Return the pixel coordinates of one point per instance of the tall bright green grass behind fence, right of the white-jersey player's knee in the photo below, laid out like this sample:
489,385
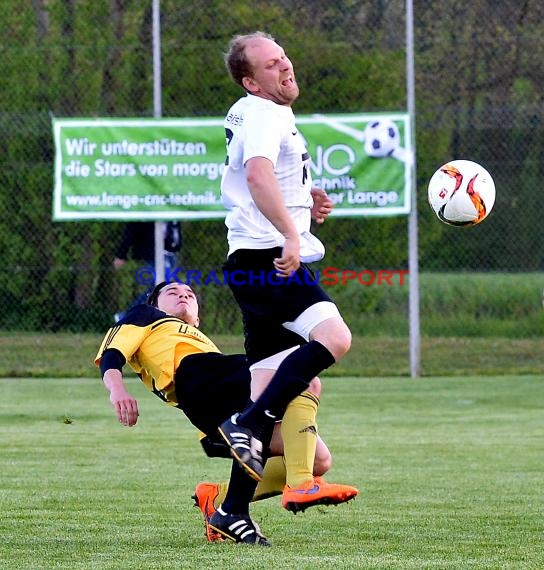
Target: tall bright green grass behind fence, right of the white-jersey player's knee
456,304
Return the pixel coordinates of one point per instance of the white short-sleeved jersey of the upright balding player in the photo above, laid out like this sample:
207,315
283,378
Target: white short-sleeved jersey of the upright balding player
258,127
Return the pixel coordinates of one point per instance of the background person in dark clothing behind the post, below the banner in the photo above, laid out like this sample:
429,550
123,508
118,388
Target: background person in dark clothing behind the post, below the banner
138,243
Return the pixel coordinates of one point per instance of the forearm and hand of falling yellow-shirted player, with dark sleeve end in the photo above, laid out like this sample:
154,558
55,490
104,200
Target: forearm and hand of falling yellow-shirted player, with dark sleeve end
124,404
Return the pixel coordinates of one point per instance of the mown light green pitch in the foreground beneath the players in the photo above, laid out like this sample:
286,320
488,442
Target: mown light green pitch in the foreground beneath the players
450,472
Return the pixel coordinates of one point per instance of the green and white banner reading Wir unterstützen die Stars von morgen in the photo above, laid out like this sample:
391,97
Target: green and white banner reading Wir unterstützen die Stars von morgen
161,169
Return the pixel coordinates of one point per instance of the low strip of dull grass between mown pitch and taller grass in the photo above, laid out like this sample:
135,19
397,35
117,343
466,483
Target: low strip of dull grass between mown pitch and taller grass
69,355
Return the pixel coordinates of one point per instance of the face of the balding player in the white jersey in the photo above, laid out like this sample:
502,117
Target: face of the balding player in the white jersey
273,75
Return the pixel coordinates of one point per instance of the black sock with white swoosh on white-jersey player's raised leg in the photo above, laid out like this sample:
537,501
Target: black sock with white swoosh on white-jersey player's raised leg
292,377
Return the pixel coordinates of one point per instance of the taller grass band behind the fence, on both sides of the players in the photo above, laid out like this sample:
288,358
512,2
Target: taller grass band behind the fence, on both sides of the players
457,304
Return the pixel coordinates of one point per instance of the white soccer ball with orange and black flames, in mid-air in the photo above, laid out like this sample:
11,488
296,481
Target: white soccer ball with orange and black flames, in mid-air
461,193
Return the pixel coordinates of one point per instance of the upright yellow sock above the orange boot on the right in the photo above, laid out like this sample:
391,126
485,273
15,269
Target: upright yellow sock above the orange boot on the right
299,434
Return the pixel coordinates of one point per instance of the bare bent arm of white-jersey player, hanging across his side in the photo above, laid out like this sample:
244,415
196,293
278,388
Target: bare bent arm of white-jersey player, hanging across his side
265,191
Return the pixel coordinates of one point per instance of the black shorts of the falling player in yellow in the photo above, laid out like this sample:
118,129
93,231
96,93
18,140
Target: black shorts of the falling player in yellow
210,387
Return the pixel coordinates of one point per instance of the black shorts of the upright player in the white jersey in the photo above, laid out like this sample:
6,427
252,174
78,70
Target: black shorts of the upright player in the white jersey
267,301
